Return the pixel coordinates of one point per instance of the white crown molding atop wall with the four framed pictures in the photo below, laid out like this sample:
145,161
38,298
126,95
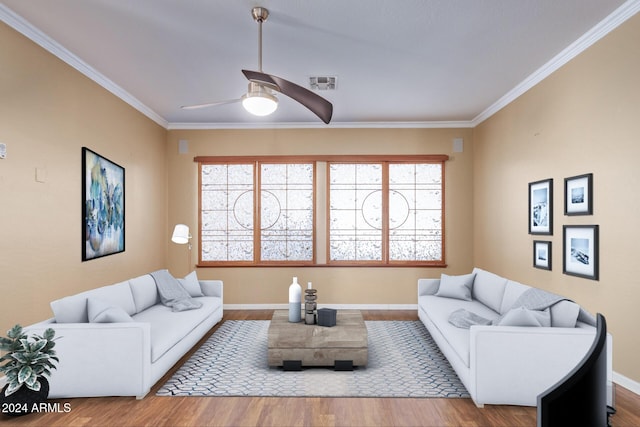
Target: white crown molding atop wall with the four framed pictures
604,27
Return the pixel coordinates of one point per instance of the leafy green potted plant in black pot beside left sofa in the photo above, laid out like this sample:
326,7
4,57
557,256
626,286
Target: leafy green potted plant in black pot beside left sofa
26,363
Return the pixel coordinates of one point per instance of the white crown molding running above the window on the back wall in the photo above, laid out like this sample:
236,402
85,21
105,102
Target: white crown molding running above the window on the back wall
332,125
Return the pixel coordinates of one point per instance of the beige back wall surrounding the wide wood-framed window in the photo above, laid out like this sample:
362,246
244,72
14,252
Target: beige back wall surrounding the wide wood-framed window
335,285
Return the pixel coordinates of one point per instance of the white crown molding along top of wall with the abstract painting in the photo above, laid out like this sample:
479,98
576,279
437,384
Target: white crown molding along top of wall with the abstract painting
25,28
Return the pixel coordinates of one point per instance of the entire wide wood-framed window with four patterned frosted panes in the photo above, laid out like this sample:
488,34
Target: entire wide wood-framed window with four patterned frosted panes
373,210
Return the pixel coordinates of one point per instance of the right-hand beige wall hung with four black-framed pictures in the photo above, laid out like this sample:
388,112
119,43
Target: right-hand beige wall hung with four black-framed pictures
583,118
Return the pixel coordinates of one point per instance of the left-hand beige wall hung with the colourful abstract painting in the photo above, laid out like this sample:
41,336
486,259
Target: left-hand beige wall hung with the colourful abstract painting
48,111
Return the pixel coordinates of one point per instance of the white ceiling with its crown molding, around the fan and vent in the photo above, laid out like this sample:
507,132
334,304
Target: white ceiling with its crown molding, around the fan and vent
409,62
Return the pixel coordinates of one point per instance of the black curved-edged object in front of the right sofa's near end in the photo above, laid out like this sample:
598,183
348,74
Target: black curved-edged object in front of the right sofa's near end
580,398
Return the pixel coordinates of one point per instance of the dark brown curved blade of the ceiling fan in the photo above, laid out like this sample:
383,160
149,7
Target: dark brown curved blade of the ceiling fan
317,104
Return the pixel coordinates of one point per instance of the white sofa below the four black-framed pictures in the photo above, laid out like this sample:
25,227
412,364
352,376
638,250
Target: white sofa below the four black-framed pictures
501,364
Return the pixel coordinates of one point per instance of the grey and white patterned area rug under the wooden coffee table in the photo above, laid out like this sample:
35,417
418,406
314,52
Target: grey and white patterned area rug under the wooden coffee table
404,361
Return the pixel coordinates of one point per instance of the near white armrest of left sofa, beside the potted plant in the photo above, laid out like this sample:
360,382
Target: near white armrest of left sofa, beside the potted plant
100,359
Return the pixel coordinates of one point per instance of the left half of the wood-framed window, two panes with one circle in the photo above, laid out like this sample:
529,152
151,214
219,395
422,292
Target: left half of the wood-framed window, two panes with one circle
233,232
